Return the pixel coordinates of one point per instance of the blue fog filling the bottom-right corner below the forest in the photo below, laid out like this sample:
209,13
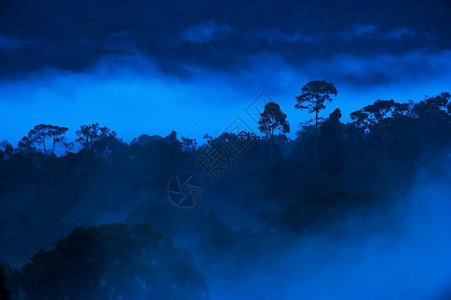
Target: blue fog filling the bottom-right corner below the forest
407,259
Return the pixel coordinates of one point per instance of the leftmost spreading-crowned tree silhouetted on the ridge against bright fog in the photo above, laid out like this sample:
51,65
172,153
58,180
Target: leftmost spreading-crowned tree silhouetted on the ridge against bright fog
40,133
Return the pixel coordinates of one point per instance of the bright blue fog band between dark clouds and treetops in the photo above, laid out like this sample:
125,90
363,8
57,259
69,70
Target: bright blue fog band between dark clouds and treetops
132,95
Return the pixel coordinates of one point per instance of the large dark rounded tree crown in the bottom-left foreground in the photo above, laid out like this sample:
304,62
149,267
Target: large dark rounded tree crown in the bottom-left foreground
113,262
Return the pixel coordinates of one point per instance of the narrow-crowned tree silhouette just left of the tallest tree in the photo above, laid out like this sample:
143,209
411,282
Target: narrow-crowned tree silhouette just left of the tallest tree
273,119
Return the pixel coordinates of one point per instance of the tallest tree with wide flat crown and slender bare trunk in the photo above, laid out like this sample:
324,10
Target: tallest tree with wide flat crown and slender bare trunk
314,95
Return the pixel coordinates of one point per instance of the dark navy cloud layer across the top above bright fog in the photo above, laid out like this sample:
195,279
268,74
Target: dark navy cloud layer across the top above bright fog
224,35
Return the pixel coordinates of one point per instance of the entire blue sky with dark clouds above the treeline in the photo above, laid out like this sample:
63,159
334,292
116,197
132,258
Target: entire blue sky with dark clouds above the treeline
194,67
